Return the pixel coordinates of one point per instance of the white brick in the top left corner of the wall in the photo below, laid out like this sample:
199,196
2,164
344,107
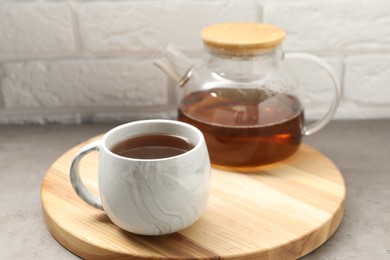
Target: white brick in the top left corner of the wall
36,27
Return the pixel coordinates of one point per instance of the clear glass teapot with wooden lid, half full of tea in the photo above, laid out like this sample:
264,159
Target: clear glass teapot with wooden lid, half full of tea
248,107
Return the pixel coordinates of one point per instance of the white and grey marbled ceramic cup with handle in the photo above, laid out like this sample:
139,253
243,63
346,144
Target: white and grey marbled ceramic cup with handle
149,196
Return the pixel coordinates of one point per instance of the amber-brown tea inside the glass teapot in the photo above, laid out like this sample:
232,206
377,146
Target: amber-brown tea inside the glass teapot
259,132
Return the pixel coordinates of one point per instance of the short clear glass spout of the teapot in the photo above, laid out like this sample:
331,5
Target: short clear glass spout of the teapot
175,64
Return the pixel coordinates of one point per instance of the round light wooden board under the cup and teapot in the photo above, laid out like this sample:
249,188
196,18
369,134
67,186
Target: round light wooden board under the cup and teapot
283,211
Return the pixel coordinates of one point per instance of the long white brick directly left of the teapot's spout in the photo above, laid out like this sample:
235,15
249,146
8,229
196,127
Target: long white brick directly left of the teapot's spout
83,83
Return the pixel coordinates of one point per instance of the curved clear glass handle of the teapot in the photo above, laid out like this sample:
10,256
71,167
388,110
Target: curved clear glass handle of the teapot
318,125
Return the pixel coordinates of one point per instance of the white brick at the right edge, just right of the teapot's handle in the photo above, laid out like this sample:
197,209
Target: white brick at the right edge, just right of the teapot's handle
367,79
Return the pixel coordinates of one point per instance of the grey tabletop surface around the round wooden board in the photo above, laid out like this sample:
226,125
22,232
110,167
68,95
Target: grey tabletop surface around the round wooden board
361,150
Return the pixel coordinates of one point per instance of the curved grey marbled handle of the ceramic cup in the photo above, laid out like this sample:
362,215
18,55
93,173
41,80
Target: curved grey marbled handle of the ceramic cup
76,181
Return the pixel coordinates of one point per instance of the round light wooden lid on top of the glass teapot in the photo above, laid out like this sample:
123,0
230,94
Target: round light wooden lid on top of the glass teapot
242,37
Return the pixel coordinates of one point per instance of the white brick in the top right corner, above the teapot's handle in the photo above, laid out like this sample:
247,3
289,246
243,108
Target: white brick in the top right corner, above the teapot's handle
332,26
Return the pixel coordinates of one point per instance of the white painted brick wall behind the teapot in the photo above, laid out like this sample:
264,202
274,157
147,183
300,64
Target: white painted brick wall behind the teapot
79,61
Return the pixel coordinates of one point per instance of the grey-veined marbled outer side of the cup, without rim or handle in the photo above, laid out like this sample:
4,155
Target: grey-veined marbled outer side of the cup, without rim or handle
162,196
